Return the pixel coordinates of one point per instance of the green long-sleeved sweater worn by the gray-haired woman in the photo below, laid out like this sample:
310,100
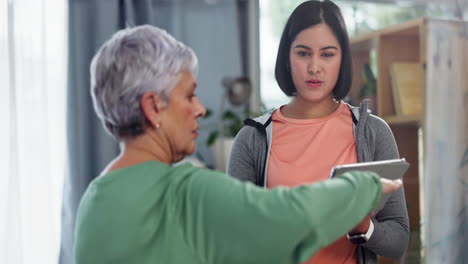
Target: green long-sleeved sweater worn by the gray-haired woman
156,213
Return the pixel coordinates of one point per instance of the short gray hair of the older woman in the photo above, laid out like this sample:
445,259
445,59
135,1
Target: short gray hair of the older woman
134,61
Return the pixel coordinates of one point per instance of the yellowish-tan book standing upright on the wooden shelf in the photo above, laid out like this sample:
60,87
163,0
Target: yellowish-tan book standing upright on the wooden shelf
407,85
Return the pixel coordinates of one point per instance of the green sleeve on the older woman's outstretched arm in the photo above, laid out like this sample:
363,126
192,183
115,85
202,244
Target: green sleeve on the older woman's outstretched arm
228,221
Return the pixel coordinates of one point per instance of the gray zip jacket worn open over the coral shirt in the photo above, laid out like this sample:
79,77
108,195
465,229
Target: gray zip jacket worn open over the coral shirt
374,141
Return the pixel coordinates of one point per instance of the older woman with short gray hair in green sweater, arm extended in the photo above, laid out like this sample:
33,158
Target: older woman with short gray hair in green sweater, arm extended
142,209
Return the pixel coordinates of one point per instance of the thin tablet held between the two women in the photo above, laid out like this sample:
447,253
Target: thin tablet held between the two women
390,169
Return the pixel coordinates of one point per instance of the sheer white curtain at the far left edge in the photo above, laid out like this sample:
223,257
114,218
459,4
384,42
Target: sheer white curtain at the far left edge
32,134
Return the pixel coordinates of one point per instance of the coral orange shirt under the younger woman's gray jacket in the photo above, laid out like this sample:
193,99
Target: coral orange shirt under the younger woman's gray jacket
304,151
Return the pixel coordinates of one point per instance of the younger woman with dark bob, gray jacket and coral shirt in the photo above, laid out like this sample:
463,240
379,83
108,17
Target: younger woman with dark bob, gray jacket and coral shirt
316,131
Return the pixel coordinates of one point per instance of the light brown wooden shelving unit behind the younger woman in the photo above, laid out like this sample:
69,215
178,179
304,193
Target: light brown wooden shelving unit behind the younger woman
404,42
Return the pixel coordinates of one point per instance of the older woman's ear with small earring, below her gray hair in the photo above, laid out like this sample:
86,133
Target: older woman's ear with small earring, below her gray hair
152,105
